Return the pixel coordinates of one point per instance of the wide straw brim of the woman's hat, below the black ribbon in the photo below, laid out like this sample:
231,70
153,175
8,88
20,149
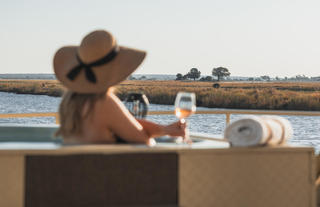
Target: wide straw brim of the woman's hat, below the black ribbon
107,75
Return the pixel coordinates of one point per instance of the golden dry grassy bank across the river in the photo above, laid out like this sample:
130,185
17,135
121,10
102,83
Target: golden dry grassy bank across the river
237,95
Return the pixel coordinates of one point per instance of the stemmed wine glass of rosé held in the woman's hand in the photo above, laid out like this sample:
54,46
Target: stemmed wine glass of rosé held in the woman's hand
185,105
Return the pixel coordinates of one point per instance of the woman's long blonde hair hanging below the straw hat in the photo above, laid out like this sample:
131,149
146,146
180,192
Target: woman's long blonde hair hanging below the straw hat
72,111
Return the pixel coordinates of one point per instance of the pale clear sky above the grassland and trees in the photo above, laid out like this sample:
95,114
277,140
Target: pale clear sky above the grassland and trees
249,37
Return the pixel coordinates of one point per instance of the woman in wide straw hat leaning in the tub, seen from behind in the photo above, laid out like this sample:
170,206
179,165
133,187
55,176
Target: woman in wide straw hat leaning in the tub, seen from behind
89,111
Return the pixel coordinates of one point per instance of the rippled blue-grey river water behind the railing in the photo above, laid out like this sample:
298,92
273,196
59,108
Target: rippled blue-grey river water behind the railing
306,128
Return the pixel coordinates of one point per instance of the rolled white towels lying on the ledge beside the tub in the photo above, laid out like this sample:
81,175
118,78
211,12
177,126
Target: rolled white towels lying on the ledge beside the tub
258,131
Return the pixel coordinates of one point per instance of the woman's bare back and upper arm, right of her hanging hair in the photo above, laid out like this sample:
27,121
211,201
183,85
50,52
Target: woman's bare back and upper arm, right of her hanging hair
106,121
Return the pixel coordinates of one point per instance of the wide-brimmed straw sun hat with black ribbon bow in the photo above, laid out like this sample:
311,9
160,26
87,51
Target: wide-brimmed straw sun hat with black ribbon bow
96,64
